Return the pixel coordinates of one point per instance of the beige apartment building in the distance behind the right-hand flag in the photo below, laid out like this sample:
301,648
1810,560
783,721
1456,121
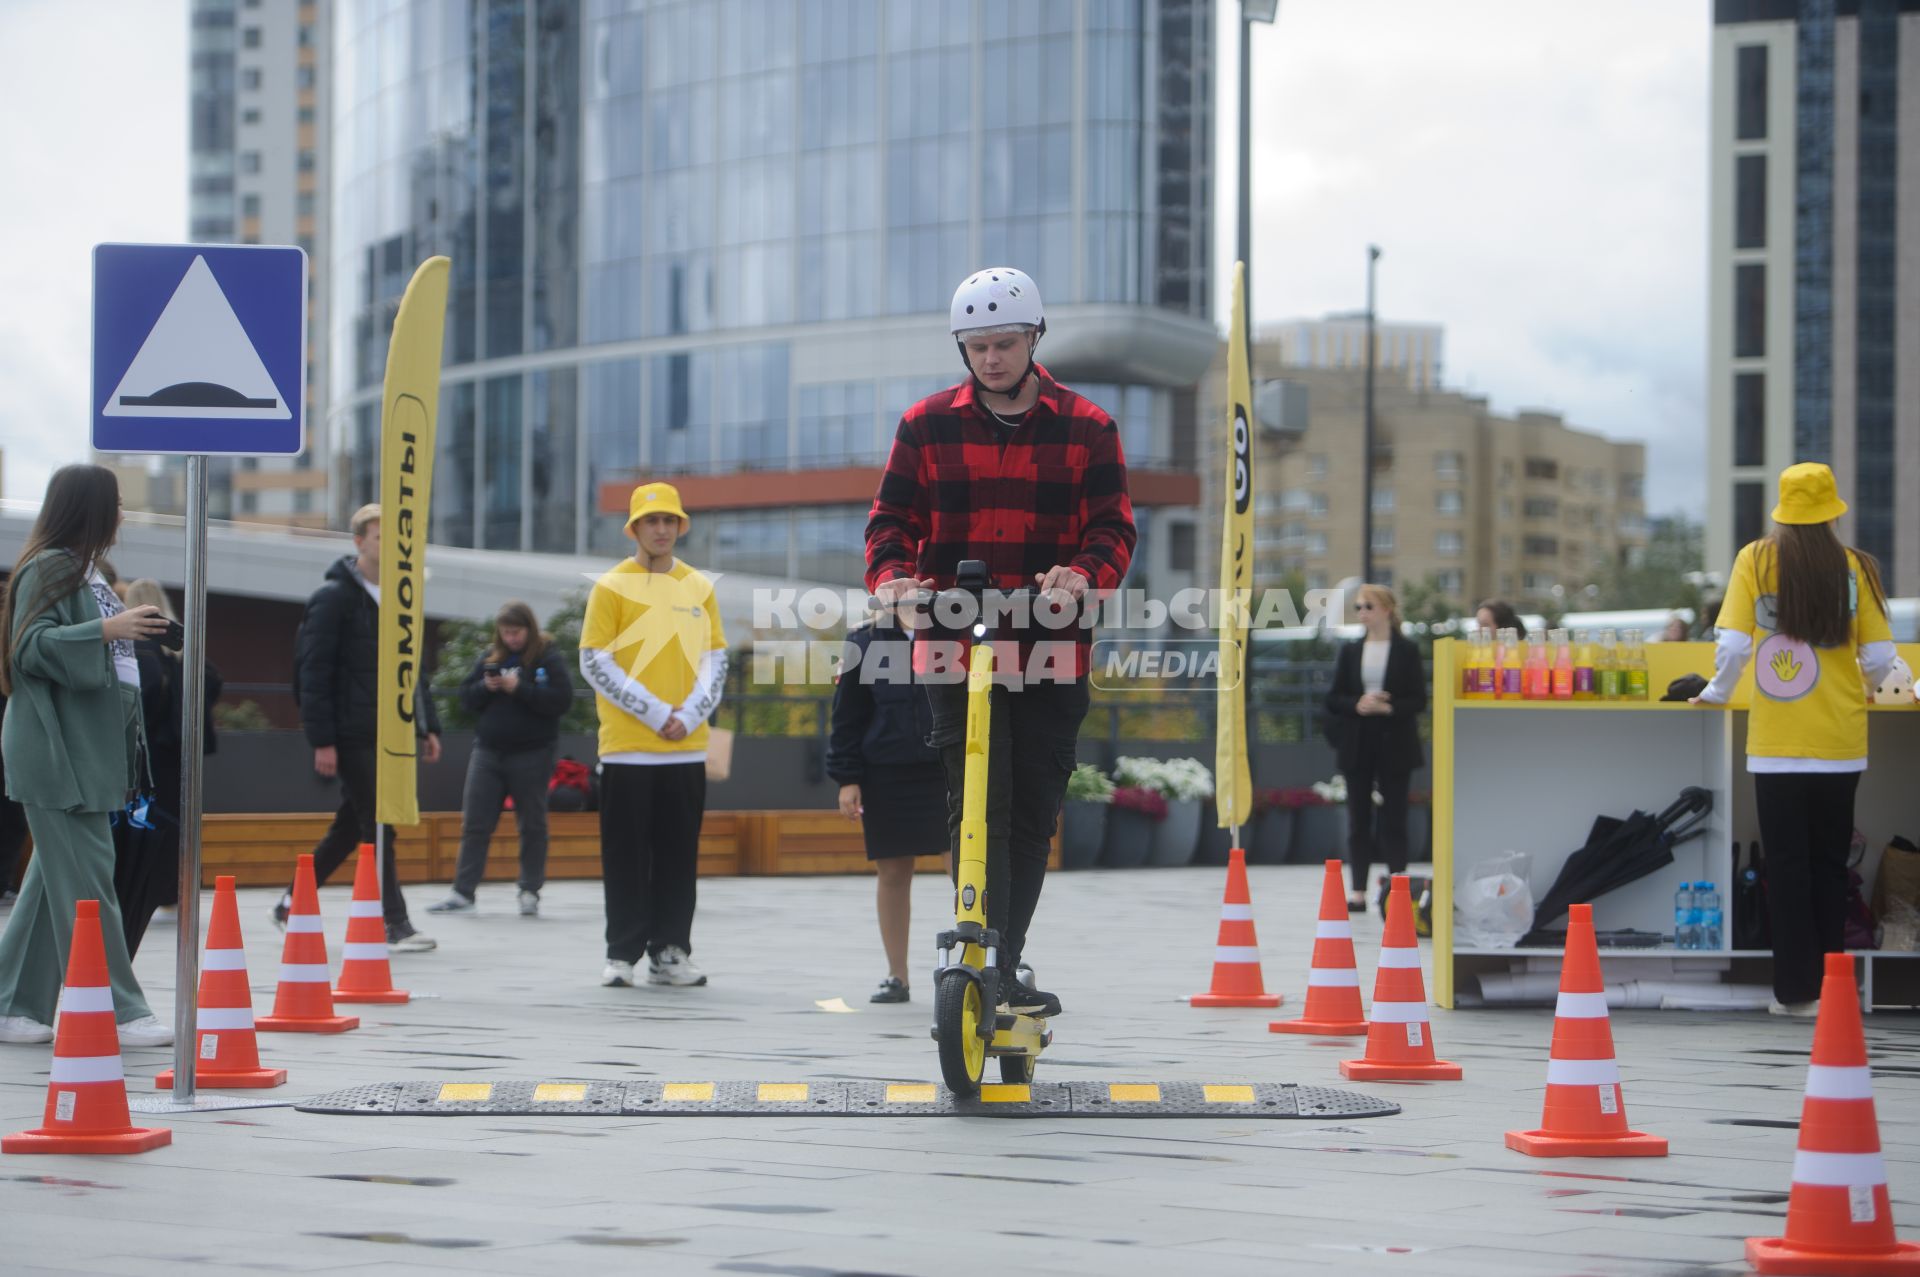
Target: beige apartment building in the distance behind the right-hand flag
1483,506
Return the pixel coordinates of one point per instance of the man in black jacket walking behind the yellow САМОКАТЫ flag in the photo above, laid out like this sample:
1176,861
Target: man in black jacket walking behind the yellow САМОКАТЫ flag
337,669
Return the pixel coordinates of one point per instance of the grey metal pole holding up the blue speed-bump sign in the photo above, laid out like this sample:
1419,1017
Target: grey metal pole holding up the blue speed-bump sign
193,735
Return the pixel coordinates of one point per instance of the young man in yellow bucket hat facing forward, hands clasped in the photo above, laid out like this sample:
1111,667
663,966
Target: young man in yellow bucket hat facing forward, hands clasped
656,656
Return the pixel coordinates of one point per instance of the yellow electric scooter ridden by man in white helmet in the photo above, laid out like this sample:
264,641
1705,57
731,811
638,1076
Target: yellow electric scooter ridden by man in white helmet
971,1019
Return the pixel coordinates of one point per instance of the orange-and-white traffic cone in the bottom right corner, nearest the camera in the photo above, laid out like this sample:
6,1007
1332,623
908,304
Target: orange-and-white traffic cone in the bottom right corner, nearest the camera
1838,1217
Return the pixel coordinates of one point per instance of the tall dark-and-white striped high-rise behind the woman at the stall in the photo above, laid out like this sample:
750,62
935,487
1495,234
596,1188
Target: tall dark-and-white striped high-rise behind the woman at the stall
1815,268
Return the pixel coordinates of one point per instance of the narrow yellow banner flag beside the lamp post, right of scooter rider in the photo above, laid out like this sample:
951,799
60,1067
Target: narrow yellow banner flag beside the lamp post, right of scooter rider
1234,786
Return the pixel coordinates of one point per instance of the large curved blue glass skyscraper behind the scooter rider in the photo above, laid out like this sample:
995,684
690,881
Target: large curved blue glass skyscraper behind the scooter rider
713,241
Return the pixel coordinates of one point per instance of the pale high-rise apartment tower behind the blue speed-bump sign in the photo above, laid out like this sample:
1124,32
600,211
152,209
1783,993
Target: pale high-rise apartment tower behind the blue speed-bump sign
258,172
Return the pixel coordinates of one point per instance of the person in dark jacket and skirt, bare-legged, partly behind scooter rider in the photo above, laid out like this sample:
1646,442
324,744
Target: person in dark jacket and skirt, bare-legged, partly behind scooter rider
890,779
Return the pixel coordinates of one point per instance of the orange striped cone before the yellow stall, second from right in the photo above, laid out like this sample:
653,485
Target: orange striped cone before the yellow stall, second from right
1585,1113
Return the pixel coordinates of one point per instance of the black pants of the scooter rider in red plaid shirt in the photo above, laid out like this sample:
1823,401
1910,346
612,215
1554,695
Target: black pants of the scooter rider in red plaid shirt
1030,758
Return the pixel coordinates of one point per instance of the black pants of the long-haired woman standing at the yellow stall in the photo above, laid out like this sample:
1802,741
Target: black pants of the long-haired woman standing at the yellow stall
1806,831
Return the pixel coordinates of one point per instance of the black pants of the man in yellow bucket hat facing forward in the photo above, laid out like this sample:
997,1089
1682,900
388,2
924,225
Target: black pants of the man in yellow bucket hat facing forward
650,855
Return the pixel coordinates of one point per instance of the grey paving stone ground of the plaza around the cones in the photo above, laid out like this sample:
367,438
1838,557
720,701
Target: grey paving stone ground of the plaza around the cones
1429,1192
